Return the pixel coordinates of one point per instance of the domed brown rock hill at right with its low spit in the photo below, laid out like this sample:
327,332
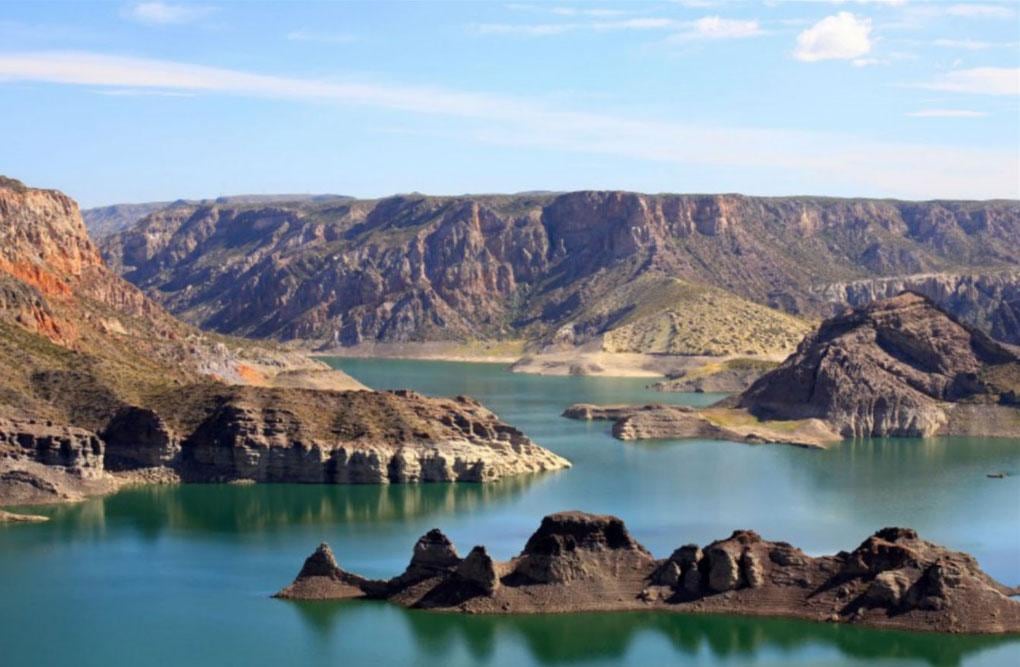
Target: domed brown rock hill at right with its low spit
896,368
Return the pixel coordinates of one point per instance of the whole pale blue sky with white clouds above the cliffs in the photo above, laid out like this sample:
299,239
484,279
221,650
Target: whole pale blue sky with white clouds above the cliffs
147,101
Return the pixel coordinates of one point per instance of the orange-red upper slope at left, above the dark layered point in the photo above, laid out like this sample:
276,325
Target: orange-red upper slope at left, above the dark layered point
78,341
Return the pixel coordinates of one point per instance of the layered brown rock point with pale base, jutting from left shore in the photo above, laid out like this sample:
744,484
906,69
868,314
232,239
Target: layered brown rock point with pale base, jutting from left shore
302,436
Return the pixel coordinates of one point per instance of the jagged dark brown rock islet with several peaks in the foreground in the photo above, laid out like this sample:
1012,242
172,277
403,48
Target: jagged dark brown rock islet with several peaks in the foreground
584,562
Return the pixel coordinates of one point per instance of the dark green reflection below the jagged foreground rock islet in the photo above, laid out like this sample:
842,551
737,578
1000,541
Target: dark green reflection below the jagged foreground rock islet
570,639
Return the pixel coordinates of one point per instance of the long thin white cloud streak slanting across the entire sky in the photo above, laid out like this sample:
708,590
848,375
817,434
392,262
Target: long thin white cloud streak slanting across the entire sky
882,168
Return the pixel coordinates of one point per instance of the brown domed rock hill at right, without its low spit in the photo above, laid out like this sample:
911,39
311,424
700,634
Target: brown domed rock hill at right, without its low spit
896,368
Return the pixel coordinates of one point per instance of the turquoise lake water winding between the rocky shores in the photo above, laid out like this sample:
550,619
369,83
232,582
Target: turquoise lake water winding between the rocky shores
168,576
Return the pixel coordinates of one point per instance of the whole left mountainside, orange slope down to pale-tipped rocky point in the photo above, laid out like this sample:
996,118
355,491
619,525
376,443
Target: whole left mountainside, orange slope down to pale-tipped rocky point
96,379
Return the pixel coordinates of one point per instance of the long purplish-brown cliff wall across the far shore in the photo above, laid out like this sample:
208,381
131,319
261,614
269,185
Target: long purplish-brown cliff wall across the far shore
423,269
